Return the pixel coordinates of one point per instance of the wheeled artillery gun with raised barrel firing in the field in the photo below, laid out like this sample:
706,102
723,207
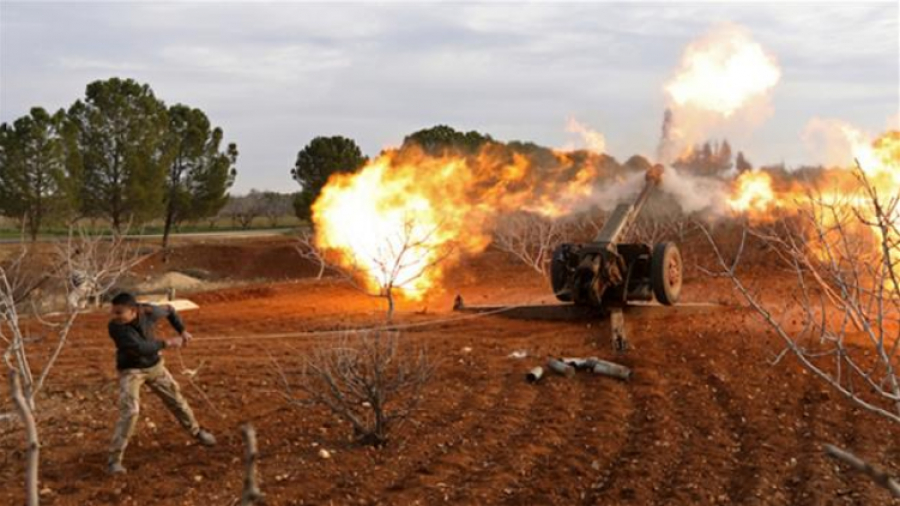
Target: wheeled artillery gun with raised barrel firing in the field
607,274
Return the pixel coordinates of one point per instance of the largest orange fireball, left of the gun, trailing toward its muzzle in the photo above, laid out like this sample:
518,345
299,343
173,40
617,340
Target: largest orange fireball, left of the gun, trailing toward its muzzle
405,212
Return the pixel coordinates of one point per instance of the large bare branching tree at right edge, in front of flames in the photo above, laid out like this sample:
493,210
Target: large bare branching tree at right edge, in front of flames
843,257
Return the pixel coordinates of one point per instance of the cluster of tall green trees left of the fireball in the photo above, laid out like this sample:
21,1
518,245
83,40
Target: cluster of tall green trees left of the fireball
119,154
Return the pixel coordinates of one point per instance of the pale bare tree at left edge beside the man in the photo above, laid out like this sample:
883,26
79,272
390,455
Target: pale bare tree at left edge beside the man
99,261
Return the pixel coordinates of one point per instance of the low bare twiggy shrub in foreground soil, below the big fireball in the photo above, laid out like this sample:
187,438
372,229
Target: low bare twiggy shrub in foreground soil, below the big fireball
370,379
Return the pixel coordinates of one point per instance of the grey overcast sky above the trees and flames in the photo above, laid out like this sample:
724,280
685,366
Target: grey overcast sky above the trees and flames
275,75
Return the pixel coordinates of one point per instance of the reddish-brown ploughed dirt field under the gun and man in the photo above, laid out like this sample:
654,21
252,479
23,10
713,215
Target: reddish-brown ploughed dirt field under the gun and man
706,419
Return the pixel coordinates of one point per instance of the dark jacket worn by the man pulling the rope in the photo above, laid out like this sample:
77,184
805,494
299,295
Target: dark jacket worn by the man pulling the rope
136,347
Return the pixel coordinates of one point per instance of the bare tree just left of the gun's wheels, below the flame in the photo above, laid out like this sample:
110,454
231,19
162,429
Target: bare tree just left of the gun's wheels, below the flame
531,238
